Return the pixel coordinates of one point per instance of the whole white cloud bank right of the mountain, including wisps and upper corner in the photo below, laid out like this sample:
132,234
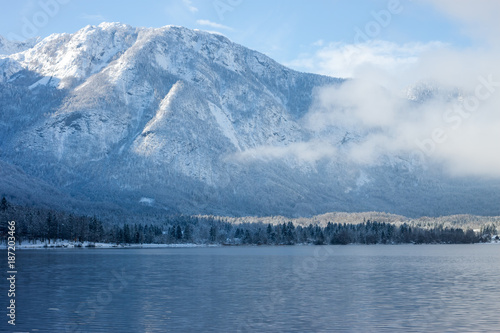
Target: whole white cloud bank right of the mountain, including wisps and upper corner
433,102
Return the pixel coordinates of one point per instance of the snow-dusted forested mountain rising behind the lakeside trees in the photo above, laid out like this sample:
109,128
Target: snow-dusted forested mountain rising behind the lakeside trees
187,121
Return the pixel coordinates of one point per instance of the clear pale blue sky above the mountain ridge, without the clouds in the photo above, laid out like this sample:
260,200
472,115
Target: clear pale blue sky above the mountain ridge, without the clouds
287,31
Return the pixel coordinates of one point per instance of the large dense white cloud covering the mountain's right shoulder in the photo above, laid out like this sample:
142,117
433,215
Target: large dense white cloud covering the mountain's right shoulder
455,124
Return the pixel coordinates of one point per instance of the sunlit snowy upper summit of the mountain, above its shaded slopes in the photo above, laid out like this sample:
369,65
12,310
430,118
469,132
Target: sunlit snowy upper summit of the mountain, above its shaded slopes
72,58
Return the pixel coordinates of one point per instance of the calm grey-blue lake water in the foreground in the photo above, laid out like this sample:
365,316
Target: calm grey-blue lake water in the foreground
399,288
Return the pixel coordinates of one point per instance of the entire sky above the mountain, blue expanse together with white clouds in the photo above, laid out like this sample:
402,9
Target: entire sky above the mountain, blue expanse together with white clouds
388,46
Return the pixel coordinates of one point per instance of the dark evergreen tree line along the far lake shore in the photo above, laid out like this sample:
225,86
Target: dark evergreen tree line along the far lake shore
49,226
